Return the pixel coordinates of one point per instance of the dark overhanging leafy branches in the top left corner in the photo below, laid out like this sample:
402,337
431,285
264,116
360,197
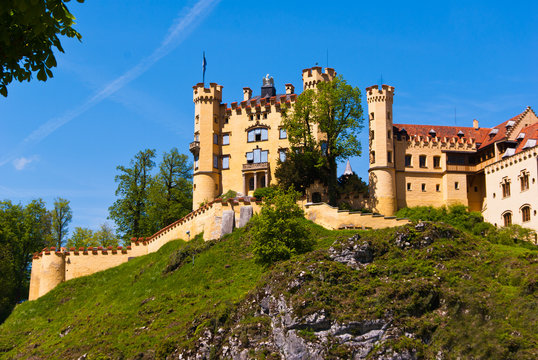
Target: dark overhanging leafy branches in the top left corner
29,32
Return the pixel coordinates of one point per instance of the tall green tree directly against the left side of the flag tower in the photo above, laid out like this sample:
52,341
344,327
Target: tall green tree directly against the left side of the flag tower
170,195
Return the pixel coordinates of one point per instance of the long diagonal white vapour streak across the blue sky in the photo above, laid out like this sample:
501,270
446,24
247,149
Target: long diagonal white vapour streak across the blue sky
180,29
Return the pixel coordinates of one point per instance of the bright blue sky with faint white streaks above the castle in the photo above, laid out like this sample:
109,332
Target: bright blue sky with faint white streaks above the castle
128,85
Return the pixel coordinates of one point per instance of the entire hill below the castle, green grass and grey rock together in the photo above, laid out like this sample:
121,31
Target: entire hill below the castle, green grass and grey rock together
421,292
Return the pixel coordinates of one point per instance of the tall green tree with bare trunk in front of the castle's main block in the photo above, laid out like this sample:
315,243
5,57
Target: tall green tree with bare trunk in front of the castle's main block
334,110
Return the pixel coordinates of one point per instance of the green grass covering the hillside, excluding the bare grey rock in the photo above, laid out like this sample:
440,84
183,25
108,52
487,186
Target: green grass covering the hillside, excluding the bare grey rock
462,295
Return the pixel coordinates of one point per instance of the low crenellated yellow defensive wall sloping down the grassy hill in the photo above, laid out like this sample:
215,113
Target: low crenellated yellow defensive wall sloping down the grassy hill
52,266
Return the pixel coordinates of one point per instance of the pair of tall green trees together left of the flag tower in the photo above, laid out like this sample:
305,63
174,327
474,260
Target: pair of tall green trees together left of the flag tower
148,203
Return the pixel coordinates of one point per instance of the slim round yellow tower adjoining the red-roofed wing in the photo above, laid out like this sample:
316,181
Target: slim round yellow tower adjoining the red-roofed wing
381,173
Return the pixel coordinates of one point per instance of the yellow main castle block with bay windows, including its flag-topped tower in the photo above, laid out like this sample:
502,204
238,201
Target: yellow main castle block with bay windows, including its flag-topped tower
237,147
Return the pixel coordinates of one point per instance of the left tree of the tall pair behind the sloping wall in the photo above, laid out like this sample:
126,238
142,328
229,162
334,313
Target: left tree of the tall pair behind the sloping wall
130,210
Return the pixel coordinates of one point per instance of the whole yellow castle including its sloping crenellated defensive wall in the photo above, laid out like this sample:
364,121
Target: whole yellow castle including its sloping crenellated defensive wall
492,170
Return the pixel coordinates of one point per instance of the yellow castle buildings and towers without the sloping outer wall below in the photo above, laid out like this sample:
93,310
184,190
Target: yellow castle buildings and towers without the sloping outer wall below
236,148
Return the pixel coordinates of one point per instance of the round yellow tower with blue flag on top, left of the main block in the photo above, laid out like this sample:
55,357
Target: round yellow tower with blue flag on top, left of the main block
206,145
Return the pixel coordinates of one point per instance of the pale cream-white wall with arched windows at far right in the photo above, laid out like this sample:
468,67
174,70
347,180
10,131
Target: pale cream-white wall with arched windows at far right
511,168
